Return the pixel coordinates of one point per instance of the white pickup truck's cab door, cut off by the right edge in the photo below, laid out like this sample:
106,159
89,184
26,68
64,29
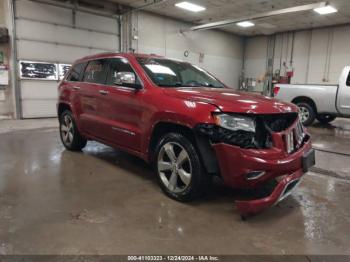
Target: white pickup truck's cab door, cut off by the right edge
343,97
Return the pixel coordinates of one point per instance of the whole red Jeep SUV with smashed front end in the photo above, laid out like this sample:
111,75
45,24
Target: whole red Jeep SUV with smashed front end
186,123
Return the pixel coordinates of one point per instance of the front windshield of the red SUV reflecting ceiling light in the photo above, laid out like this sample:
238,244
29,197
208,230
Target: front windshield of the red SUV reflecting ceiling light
170,73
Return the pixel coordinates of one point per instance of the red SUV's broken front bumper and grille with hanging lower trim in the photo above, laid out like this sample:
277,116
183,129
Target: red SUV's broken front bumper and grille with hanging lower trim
280,149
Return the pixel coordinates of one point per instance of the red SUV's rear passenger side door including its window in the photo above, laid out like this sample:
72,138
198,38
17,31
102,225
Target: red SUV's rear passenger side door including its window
92,95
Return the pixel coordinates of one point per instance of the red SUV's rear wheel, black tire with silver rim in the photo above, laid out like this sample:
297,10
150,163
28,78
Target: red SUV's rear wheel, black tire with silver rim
69,133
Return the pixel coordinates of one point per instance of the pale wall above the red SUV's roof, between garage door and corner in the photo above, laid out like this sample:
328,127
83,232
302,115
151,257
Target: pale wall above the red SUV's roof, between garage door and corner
223,52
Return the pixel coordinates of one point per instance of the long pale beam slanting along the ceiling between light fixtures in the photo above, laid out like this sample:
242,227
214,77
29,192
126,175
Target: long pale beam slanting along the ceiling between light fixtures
227,22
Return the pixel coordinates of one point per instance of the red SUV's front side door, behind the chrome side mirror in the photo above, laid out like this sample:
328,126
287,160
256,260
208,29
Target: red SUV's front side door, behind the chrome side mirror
123,108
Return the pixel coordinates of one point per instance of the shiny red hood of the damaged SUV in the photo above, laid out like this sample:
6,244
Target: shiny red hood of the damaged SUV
228,100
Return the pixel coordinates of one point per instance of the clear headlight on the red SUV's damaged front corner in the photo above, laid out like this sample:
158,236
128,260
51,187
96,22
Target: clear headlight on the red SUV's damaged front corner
235,122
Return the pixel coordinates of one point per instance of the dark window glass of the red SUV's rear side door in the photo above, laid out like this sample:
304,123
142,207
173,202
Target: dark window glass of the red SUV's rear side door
95,71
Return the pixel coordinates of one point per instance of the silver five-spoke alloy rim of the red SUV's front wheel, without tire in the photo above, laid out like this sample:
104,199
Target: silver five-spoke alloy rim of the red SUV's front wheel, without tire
174,167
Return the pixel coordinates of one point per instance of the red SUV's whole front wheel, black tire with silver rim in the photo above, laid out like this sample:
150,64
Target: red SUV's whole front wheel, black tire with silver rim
180,172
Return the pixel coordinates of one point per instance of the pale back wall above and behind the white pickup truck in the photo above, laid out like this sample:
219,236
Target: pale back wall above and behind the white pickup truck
319,55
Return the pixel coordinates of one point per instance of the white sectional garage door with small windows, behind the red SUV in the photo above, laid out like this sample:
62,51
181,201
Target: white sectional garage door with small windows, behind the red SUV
48,39
